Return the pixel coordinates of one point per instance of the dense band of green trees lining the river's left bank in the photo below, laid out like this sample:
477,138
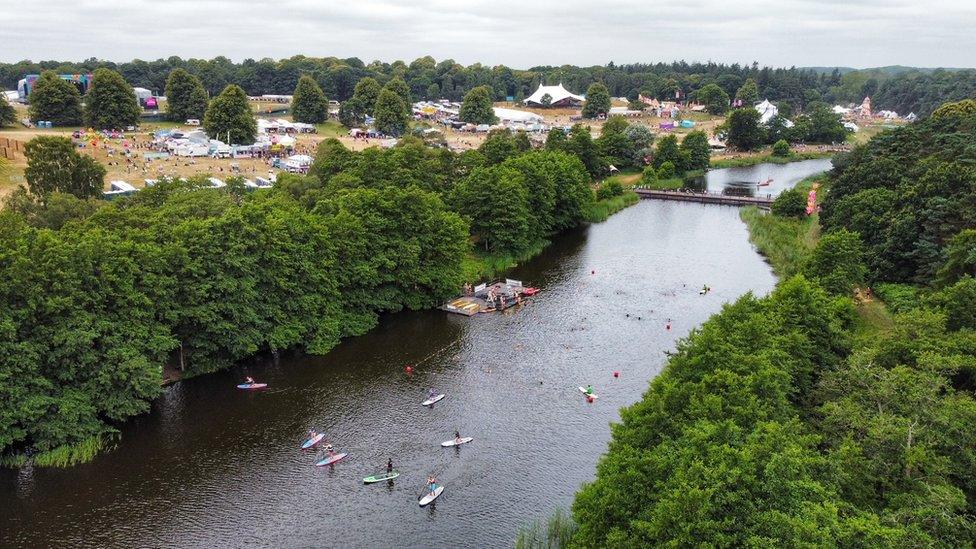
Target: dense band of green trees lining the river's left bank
98,297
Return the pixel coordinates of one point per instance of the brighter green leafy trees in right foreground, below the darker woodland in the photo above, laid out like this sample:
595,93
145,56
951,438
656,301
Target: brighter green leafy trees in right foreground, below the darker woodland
765,430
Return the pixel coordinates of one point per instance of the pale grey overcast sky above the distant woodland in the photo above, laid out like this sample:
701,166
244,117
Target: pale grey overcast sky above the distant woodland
518,33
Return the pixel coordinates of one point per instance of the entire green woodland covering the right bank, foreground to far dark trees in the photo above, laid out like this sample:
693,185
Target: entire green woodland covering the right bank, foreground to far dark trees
793,420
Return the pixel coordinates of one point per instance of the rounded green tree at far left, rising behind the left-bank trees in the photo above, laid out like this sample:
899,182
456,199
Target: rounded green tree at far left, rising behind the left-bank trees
53,165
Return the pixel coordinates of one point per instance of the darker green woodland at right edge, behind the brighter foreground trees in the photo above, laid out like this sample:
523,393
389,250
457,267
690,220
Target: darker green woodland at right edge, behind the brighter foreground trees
911,195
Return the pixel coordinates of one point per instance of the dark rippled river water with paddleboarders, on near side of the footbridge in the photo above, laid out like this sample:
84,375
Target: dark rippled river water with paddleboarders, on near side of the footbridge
212,466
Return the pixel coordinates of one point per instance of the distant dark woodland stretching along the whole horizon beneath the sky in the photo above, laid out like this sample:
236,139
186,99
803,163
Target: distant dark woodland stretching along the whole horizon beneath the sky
904,91
